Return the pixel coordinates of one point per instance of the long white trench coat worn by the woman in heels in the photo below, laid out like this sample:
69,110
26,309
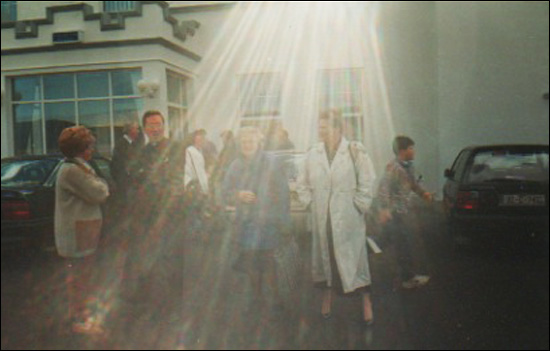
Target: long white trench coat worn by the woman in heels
346,192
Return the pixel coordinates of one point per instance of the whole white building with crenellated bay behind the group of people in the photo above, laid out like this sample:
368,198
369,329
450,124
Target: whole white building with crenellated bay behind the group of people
447,74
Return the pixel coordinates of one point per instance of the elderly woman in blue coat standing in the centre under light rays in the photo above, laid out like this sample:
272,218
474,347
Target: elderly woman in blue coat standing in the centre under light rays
255,184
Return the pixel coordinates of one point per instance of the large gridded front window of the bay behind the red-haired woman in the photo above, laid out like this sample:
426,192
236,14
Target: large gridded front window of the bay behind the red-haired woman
45,105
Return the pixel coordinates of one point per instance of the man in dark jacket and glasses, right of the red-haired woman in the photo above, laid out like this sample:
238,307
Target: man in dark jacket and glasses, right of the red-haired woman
154,266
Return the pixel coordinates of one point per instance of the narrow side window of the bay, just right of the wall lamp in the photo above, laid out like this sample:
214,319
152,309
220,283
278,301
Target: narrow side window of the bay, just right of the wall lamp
178,86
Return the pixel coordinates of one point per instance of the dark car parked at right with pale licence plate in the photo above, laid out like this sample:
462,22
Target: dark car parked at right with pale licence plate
498,189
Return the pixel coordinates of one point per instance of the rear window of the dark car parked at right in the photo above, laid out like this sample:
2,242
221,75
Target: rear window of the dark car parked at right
506,165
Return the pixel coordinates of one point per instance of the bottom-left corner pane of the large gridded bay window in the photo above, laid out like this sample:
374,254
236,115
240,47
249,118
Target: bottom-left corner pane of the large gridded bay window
28,129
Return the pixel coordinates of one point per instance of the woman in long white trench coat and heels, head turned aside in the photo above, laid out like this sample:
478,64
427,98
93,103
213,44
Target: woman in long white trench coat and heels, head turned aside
337,184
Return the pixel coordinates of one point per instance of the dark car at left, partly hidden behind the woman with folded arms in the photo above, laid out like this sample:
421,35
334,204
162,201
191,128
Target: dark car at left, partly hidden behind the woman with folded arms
28,197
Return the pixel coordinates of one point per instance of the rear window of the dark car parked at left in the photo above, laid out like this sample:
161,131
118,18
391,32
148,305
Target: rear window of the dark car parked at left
26,173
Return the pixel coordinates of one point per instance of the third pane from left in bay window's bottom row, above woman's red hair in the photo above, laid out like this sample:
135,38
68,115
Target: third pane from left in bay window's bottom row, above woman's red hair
95,116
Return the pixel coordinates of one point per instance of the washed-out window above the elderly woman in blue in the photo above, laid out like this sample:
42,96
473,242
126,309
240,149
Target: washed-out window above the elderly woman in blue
260,96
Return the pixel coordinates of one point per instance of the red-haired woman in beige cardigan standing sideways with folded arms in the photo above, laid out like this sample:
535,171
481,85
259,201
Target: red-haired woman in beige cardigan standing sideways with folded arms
78,221
